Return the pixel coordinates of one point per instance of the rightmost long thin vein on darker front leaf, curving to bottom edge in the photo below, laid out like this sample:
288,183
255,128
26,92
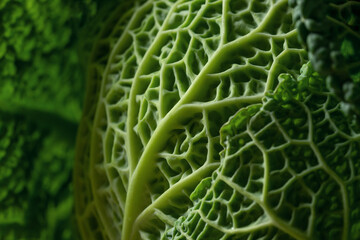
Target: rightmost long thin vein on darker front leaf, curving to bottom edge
331,173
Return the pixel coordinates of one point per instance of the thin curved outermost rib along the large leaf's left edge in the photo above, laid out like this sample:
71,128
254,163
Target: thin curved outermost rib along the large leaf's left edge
97,119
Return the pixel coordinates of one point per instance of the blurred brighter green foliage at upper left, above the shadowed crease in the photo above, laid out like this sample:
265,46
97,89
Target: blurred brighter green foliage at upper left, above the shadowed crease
38,62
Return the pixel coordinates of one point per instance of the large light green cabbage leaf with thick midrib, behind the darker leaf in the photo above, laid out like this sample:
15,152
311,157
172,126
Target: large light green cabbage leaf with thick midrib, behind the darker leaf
176,73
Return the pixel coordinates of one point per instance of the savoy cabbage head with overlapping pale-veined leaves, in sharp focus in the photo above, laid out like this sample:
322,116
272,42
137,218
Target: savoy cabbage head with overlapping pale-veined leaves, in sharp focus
204,119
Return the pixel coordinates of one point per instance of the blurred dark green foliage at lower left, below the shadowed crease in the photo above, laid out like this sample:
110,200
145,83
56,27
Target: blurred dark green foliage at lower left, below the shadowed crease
36,197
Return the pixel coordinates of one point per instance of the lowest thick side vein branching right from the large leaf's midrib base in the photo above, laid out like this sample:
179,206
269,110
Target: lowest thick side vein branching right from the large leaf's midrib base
175,189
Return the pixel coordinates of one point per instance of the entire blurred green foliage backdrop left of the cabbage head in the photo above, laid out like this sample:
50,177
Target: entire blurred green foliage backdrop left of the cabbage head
41,93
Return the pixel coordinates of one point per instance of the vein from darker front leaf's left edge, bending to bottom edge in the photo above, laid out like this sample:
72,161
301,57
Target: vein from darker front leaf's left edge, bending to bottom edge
282,225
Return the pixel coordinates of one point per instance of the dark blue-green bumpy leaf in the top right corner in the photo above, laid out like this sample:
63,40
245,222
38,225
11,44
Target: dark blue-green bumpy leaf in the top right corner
330,30
